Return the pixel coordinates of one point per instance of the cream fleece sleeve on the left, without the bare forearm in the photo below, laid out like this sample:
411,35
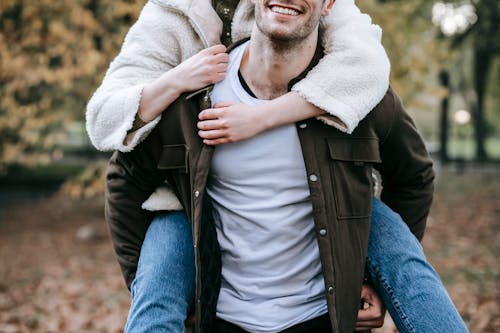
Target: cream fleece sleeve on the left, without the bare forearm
152,46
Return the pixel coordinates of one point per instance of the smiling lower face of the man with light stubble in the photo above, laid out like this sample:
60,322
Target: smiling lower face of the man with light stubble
289,20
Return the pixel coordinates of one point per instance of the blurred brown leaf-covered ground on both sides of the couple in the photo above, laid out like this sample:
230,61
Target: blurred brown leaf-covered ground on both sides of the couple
58,272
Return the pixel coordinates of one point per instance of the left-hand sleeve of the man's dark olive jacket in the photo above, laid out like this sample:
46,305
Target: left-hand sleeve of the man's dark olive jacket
130,180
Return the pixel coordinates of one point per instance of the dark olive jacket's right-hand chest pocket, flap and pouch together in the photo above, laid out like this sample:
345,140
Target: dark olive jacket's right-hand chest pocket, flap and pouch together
351,170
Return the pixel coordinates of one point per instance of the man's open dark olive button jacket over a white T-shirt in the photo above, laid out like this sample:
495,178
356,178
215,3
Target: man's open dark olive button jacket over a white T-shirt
339,168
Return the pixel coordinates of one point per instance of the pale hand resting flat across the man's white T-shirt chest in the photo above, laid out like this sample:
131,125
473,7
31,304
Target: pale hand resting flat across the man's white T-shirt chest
229,122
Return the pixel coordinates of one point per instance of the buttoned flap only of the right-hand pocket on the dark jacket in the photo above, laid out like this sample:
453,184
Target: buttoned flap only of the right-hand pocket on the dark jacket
354,149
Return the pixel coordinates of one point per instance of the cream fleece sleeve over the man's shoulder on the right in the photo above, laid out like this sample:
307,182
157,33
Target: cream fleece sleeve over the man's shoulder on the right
353,76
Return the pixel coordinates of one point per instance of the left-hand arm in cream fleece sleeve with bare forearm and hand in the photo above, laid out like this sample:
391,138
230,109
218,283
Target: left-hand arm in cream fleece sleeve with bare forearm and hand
160,58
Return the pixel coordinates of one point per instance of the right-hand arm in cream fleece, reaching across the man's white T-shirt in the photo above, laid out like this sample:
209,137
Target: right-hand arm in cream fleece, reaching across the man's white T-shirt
341,90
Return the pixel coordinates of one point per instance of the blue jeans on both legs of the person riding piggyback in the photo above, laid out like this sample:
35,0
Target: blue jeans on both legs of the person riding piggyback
408,285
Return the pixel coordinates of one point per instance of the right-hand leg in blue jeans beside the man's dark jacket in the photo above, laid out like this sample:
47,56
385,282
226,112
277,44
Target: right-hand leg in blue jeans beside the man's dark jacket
408,285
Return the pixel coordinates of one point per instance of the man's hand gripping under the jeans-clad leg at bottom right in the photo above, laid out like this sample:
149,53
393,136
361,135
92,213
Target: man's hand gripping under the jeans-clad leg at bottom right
371,315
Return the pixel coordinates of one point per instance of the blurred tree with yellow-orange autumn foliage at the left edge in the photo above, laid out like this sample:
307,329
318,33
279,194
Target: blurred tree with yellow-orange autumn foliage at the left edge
53,54
